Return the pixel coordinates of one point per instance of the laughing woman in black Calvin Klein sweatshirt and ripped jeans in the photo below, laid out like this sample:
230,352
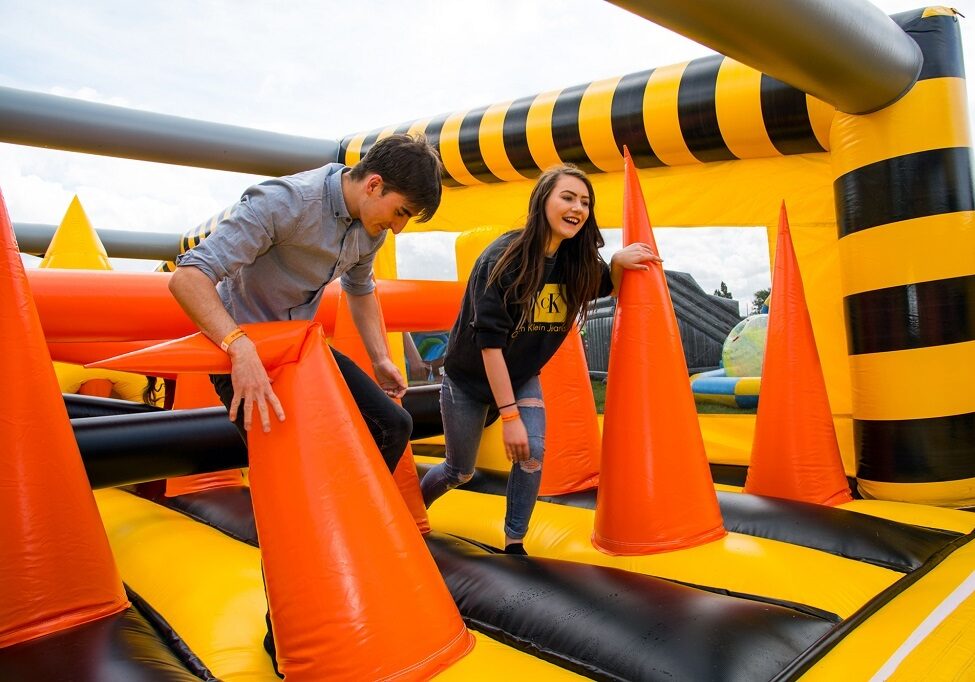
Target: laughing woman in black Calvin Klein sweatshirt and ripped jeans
524,293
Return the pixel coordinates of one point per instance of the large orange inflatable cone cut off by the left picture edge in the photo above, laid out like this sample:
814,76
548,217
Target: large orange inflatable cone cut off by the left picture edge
57,569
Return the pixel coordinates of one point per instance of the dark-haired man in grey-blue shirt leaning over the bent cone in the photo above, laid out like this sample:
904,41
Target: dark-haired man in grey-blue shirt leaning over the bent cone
281,244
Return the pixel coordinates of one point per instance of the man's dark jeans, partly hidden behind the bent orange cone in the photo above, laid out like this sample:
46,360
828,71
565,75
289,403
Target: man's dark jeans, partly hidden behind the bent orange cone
389,424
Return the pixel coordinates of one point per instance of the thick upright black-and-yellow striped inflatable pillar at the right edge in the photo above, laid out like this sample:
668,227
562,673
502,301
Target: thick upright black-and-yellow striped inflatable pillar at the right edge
905,211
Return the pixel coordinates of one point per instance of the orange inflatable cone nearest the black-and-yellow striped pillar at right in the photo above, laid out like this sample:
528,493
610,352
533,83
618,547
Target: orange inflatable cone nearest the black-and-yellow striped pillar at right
795,454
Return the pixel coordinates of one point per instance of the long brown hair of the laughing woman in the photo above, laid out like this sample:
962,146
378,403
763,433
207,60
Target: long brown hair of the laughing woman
525,254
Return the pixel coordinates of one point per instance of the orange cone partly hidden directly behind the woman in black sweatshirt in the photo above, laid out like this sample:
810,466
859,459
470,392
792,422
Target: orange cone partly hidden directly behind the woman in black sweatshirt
572,438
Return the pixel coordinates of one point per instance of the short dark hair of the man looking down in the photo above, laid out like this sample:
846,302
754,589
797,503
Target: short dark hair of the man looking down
409,166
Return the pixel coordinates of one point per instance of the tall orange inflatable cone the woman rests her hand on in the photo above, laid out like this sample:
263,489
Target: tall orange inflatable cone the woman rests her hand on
655,490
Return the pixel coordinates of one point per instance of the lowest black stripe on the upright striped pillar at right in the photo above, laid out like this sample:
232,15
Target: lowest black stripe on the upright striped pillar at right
916,450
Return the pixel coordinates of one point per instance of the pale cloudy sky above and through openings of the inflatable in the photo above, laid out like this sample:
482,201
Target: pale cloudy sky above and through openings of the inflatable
322,69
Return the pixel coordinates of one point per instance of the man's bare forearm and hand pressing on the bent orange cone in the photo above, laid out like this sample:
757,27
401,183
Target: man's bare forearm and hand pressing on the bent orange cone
197,295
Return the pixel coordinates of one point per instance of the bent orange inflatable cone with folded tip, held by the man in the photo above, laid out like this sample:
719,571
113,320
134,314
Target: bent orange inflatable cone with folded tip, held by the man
344,564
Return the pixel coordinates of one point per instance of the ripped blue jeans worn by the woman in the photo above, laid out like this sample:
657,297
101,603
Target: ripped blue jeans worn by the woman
463,419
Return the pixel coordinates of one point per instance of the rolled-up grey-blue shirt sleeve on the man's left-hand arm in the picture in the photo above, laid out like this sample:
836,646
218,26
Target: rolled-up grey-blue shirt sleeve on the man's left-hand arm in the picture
266,214
